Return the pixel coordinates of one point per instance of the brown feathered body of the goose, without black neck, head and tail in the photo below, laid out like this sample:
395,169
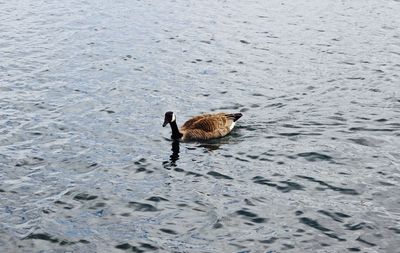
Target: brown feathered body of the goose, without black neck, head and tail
207,126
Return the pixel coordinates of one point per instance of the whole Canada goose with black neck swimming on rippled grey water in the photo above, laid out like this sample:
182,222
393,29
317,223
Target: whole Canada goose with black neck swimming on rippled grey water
202,127
